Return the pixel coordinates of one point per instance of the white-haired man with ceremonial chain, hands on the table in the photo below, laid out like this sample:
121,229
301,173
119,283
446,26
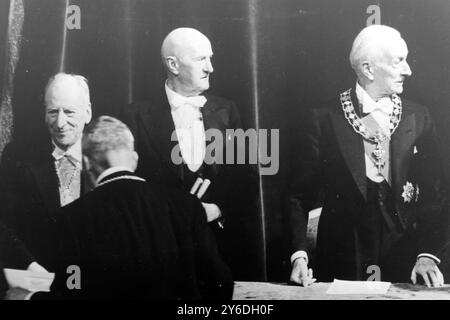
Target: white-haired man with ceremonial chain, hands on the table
376,157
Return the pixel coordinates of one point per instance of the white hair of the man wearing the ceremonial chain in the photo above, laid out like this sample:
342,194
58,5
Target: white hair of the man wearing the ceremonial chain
368,42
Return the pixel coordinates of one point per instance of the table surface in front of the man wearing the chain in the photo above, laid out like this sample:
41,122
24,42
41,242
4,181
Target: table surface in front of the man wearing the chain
317,291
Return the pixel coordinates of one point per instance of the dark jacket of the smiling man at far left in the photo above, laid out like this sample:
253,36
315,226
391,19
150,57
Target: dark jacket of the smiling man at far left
29,194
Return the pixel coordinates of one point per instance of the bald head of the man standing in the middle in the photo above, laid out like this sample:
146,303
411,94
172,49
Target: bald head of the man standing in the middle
186,54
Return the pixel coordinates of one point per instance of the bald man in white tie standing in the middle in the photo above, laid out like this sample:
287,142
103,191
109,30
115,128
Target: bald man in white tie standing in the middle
177,122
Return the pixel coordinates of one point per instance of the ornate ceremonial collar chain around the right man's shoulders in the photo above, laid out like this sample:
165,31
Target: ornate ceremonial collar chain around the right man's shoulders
355,121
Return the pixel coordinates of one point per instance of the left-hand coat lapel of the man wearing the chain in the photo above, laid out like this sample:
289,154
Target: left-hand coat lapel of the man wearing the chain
351,146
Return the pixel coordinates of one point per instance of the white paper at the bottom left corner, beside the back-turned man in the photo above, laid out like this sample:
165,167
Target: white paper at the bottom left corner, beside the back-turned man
32,281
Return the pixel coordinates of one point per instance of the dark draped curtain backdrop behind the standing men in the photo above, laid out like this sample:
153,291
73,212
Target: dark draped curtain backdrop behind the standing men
274,58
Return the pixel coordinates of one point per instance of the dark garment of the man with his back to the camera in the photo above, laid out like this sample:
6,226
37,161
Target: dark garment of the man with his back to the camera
135,240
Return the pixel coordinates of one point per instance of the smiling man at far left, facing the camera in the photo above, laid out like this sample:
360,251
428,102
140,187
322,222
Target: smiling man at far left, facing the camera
38,178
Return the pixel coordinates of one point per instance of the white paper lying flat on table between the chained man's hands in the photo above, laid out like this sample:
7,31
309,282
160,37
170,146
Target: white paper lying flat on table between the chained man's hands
358,287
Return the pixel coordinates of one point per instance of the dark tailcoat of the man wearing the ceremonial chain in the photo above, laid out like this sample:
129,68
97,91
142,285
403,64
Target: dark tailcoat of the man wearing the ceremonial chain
332,161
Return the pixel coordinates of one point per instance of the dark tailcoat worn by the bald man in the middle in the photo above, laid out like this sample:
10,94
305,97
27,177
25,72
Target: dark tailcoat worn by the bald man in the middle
233,188
